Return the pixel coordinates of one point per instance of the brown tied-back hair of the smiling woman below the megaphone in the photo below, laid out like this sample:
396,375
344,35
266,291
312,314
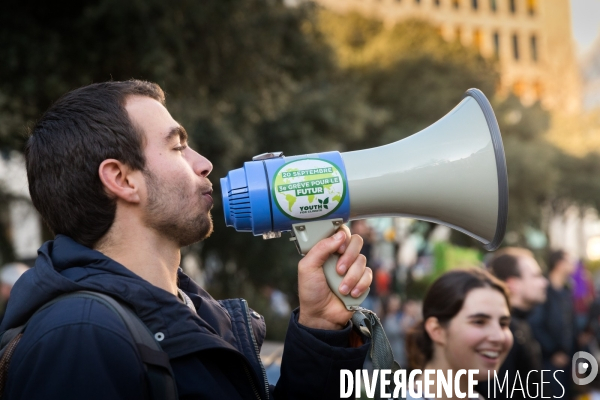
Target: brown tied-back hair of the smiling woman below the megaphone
443,300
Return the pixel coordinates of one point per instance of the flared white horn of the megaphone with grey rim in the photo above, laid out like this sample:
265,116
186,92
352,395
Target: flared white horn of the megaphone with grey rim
452,173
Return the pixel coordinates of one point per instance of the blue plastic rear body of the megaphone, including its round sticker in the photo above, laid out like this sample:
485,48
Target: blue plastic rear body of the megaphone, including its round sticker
271,193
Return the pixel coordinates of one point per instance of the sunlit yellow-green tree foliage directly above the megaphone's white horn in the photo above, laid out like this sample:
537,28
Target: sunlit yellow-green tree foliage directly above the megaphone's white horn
410,75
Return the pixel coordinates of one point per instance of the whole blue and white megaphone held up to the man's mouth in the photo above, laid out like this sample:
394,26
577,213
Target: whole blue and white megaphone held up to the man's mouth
452,173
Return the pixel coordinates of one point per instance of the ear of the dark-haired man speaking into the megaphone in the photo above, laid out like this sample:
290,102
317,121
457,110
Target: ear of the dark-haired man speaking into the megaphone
120,180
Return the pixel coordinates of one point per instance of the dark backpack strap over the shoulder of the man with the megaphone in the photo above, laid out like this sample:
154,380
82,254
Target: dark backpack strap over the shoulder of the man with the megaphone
159,375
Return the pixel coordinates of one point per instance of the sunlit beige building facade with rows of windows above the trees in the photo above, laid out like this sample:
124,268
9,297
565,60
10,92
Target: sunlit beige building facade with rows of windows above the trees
532,40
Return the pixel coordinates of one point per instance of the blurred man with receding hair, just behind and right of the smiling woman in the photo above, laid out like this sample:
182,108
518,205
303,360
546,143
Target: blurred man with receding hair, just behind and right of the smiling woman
519,270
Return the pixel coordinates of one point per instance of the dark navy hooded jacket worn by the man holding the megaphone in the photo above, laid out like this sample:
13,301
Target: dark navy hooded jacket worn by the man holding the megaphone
78,349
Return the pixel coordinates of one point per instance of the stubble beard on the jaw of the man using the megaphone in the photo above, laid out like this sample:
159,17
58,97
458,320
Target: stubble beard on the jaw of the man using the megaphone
173,213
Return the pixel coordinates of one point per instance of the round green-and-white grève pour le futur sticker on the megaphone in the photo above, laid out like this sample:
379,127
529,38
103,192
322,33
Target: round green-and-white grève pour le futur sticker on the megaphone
309,188
